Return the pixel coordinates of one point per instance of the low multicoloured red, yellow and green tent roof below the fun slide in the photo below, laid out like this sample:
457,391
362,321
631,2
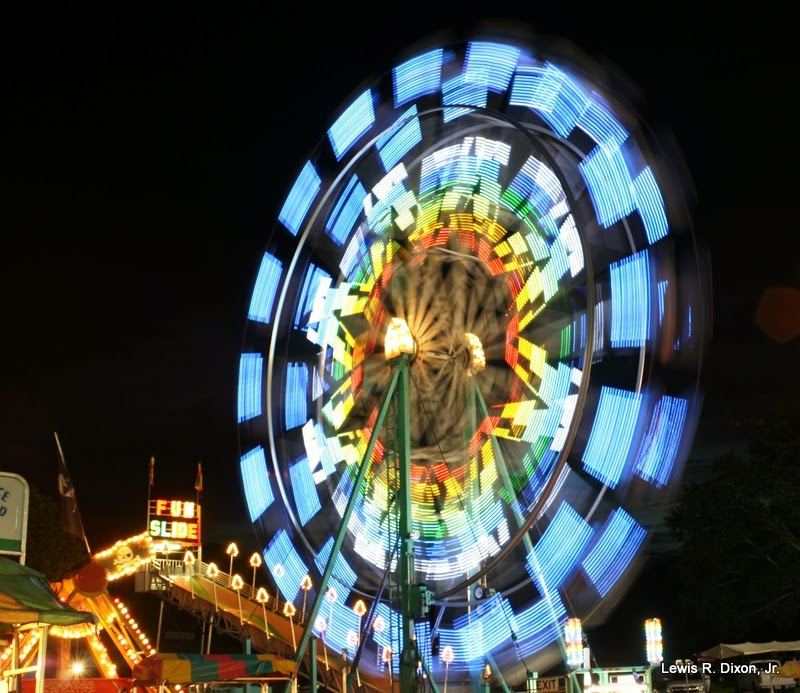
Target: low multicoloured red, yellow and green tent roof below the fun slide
192,668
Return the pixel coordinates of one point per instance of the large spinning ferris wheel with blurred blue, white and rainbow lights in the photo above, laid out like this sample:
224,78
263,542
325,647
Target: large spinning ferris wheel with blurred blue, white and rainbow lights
469,378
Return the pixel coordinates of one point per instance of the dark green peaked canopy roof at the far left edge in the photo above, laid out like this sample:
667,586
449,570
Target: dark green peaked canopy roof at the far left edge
26,597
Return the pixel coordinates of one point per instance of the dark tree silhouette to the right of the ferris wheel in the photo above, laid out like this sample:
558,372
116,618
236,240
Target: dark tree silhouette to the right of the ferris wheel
739,563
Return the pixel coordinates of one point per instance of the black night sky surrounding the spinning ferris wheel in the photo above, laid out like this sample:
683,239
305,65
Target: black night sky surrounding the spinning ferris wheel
146,153
